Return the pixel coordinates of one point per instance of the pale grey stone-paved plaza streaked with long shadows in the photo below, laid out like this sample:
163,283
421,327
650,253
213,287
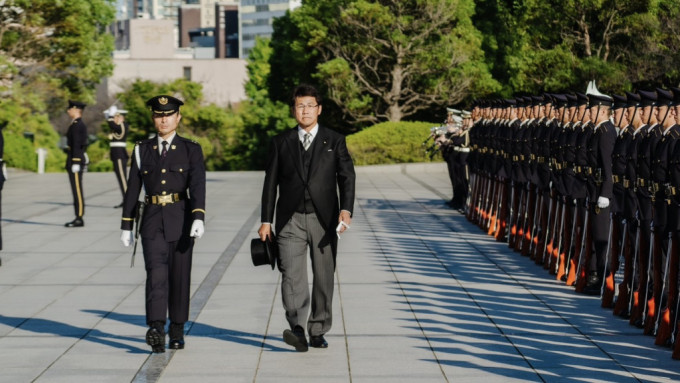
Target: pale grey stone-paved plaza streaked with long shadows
421,296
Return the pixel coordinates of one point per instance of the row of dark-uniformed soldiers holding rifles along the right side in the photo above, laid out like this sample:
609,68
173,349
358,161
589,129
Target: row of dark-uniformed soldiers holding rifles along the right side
588,186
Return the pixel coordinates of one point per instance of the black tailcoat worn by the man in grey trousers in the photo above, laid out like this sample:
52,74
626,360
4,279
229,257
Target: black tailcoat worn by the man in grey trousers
331,170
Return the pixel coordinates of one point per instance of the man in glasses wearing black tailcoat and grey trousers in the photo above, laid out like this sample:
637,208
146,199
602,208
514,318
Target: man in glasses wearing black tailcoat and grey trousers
306,164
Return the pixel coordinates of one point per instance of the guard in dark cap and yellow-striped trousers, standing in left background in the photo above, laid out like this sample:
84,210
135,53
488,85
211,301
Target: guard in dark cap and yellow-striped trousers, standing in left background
76,141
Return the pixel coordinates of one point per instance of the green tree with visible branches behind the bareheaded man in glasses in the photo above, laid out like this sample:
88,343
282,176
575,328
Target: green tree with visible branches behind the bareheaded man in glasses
388,60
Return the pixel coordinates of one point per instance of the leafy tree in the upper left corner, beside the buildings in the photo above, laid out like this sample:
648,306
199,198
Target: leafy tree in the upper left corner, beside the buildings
60,49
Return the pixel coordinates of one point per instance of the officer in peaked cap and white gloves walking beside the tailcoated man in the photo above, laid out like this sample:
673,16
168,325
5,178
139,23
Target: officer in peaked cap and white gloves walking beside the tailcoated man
167,167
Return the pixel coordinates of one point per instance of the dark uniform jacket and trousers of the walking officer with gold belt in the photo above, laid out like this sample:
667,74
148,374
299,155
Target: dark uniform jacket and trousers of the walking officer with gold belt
165,227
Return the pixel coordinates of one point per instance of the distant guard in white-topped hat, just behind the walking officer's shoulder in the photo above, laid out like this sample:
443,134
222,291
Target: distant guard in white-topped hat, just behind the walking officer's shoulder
118,141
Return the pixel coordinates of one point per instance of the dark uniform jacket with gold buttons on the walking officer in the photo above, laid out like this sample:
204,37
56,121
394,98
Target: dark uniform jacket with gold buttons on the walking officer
182,170
